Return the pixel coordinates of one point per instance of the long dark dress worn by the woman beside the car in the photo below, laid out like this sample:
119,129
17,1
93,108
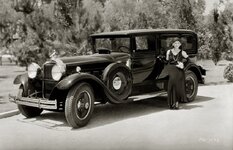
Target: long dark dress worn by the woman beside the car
176,82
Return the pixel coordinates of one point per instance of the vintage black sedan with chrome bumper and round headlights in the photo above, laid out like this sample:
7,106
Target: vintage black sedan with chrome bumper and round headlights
123,65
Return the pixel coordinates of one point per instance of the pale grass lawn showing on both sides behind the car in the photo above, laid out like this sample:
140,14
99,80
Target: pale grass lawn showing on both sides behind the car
9,71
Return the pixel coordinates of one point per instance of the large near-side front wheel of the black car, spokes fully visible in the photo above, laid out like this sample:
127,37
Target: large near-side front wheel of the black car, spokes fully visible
79,105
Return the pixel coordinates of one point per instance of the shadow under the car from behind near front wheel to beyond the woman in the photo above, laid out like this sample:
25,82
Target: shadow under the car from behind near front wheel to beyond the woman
107,114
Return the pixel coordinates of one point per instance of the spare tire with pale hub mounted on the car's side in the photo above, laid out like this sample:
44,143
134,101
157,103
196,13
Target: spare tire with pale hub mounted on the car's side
118,79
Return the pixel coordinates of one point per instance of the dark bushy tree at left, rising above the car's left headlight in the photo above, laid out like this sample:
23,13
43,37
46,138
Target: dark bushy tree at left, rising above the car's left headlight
37,28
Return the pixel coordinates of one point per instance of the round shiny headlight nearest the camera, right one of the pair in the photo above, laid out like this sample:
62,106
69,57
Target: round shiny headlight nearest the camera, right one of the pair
57,71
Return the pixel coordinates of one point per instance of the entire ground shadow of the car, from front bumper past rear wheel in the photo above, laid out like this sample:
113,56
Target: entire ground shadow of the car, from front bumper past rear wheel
105,114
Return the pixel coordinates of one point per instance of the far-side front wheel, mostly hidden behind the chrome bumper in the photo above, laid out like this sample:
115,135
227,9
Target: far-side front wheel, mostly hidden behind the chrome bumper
27,111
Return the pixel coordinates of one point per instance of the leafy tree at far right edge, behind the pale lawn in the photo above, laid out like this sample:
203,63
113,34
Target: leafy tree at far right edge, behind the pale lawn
220,25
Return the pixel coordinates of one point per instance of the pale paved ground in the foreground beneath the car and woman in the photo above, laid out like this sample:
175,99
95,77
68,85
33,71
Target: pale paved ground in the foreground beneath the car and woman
205,124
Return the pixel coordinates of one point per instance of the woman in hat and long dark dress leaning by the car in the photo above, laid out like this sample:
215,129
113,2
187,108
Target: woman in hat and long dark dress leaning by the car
176,58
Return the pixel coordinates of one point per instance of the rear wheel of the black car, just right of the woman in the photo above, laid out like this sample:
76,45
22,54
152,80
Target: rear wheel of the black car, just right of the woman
191,86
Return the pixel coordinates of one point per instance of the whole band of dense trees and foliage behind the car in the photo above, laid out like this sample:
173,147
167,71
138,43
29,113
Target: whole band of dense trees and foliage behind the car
32,29
